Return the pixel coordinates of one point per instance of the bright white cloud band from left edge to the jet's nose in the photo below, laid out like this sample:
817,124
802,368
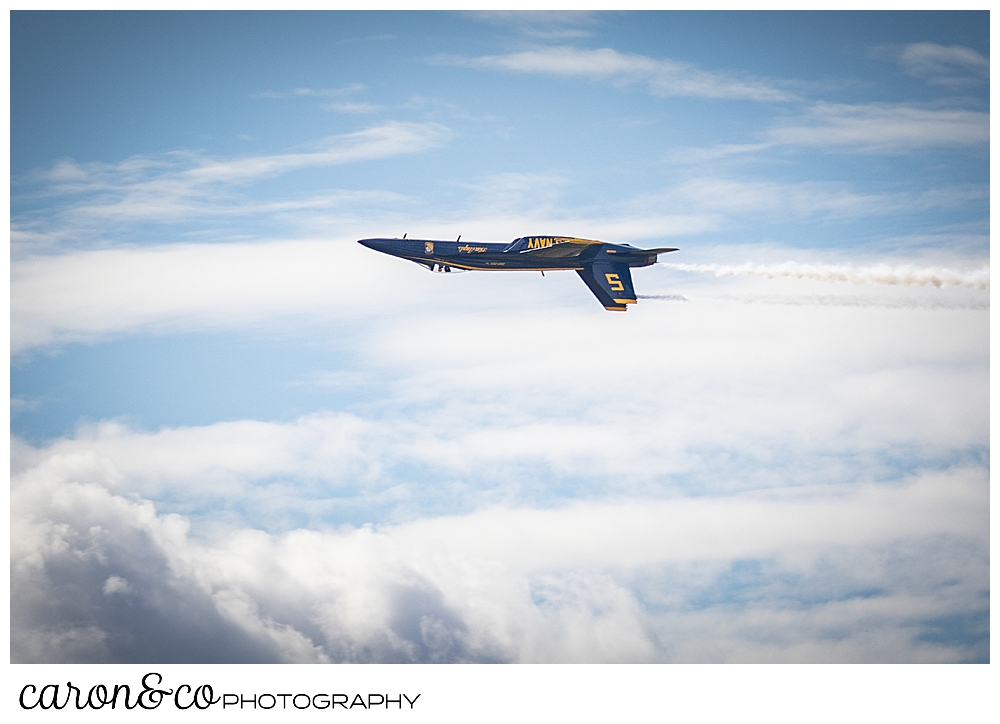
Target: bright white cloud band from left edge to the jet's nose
83,295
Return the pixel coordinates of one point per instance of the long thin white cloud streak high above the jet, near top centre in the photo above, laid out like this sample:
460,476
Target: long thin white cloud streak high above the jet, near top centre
663,77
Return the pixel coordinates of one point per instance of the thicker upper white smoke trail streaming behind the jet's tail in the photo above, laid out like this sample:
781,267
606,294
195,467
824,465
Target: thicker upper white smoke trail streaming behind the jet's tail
880,274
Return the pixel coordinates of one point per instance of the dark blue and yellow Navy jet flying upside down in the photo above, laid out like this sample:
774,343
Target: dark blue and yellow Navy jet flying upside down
603,267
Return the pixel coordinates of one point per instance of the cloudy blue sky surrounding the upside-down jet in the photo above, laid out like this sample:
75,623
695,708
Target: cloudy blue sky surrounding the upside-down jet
779,454
